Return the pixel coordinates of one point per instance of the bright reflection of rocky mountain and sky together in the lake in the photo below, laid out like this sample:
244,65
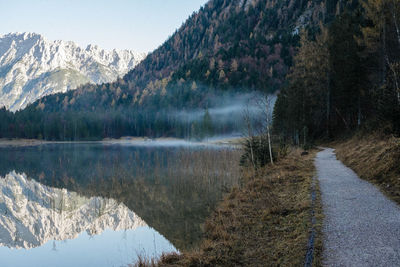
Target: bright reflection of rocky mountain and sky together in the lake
46,226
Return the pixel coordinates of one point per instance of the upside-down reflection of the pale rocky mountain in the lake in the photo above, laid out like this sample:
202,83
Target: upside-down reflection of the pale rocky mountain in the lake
31,214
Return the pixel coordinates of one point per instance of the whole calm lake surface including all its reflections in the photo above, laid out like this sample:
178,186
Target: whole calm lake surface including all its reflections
100,204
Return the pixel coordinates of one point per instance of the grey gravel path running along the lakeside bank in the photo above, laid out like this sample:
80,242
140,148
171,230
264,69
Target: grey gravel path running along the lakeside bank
361,225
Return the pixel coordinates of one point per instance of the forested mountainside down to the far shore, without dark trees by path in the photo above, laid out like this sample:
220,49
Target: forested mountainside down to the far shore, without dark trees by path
225,47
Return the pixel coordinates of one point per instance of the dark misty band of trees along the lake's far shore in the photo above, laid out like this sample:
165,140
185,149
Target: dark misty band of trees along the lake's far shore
123,120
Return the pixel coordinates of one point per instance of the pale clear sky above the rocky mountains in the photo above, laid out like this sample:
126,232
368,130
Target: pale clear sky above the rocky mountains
140,25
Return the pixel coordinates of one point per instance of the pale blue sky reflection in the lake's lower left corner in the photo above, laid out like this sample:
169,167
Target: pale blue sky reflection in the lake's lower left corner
111,248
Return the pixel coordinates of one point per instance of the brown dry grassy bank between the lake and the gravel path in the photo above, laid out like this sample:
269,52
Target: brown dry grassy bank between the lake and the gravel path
265,222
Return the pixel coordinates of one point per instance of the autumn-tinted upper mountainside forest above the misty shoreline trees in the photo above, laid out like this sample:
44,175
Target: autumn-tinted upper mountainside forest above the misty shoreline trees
226,44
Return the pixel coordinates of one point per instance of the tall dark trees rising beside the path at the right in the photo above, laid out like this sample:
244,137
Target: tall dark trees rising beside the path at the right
345,77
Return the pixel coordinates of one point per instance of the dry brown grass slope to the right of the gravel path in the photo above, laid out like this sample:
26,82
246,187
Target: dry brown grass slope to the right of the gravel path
374,158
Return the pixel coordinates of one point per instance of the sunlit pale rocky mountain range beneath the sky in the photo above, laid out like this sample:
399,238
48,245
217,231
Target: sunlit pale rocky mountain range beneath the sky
32,66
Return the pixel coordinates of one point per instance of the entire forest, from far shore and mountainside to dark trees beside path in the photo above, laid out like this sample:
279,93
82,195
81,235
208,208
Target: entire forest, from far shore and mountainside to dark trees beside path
335,64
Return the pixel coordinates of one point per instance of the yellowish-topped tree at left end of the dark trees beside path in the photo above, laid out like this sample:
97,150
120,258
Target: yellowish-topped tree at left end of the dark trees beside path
307,96
